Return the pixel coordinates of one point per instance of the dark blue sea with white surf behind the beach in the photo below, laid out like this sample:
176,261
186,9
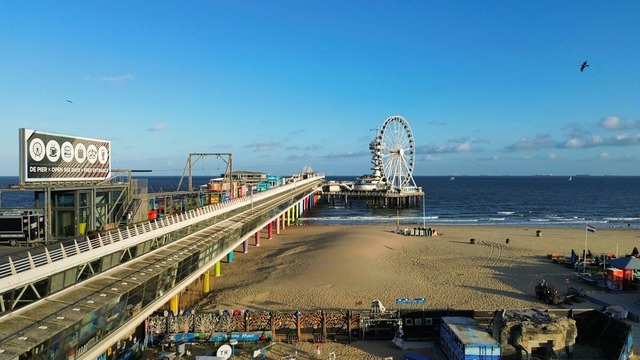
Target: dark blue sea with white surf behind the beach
602,201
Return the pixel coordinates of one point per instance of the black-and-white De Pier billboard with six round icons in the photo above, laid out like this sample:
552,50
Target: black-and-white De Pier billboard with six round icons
53,157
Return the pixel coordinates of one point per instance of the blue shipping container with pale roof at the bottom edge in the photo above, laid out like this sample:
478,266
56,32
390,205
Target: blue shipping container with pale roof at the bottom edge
461,338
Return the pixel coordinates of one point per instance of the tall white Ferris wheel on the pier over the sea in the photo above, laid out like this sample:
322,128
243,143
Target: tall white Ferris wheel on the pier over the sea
394,153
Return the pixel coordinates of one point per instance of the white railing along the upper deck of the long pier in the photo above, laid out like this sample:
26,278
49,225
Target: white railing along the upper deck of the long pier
16,266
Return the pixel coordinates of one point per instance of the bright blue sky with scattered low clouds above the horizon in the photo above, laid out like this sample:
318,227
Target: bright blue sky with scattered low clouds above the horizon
488,87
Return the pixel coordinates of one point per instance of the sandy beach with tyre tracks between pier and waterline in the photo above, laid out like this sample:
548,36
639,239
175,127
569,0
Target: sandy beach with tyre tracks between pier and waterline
346,267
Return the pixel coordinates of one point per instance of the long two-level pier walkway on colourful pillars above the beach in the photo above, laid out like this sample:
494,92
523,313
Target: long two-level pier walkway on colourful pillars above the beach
82,298
